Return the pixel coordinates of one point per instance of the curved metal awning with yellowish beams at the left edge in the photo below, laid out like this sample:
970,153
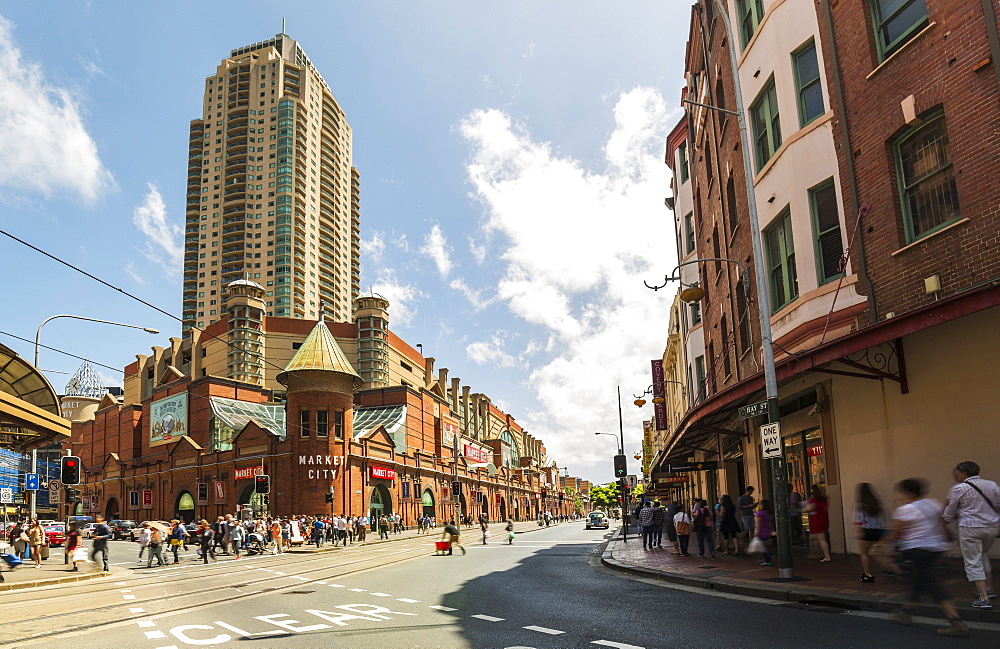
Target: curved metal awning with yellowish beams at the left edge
29,409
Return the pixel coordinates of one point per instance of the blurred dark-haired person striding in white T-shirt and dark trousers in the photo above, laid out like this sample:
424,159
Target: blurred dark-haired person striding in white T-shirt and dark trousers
921,538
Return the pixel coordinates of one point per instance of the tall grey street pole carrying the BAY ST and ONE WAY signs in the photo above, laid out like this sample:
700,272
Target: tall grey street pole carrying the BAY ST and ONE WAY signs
780,480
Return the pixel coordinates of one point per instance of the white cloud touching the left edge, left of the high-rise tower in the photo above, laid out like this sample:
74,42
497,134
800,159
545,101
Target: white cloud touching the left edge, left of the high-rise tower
44,145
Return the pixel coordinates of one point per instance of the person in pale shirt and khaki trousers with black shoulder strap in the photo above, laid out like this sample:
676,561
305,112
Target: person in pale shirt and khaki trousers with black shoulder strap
974,506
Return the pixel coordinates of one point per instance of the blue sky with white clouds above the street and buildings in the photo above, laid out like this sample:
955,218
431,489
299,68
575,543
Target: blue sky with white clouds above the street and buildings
512,184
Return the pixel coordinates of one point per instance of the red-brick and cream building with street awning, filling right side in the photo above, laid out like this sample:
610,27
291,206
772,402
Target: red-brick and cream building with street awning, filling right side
873,144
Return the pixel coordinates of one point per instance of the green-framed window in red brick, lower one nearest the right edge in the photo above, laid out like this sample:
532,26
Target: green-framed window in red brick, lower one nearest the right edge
926,178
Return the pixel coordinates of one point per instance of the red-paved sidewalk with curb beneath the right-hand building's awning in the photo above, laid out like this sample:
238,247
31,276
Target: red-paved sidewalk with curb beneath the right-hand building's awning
837,583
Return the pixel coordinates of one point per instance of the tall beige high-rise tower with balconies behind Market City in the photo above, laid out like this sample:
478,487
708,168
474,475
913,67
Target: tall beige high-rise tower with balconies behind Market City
271,194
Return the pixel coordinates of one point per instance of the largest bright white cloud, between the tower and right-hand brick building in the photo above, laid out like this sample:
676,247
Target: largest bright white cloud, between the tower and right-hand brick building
574,246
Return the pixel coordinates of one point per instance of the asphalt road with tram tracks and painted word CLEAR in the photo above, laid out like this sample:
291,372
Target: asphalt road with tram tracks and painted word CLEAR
547,590
